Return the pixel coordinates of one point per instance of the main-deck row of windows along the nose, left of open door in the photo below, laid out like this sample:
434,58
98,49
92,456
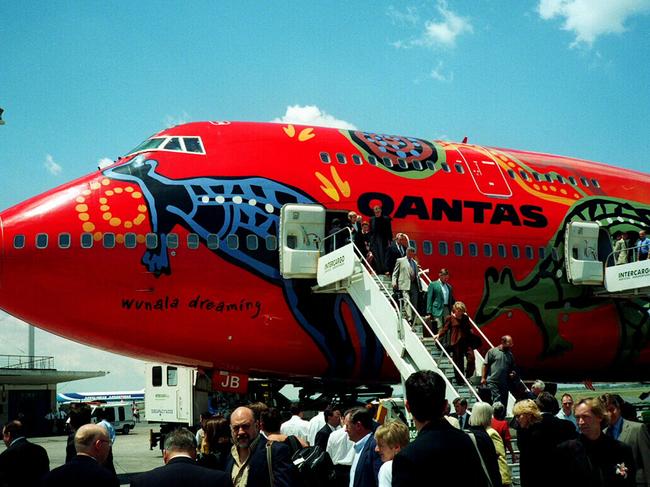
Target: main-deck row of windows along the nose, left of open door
131,240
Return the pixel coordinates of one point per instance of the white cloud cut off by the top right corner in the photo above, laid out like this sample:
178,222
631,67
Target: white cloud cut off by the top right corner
589,19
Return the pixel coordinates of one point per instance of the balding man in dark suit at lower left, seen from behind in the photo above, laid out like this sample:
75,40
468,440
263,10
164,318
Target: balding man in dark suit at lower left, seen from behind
92,445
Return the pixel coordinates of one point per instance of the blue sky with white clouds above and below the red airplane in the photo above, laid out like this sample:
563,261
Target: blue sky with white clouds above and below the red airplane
83,81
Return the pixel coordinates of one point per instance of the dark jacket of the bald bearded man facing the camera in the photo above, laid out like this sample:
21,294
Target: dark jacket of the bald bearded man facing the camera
258,476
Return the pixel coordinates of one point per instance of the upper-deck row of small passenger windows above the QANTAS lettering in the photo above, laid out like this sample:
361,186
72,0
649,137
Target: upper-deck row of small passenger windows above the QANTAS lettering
458,167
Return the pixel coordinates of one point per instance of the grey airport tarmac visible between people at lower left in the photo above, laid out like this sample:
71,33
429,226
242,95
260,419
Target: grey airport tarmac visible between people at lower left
131,454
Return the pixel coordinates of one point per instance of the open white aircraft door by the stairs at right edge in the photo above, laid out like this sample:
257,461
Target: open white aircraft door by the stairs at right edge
581,254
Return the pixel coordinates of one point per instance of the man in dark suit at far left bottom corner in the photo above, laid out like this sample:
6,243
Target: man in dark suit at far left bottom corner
22,464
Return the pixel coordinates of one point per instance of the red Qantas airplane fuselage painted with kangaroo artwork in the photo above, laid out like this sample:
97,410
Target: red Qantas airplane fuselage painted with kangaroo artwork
171,253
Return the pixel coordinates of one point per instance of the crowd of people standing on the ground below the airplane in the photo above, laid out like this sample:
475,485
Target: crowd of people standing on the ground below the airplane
596,442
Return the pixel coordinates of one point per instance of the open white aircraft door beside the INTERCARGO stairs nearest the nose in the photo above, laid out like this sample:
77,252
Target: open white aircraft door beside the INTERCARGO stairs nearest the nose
302,228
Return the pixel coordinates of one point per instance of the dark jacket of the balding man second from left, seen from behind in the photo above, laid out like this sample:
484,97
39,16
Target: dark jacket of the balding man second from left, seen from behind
81,470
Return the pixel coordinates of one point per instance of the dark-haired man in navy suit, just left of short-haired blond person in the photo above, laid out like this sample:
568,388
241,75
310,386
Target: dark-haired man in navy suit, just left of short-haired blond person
367,462
